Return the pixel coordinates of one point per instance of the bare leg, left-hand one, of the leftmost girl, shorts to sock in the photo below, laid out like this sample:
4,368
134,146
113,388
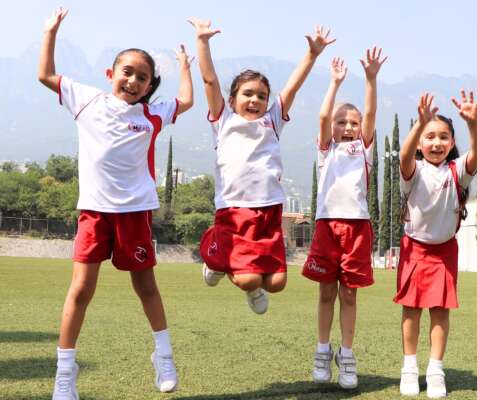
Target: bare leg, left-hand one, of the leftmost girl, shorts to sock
80,293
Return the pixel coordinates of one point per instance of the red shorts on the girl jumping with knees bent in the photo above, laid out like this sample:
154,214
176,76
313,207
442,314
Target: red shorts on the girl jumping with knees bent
245,240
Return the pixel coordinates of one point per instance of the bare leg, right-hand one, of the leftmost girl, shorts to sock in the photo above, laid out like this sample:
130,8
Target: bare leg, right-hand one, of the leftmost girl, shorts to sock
144,283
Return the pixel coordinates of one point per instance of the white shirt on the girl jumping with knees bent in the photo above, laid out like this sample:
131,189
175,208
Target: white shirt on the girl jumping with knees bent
248,167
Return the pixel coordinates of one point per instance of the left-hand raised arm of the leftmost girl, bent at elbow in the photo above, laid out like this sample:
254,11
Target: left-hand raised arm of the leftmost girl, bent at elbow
46,70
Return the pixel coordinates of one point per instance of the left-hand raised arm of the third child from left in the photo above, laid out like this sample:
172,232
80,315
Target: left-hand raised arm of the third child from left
338,73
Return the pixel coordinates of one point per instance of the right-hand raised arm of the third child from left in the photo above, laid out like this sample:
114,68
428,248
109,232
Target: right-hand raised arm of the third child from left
371,64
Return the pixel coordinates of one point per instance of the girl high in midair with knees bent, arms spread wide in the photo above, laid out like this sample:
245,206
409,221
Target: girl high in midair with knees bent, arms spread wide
246,240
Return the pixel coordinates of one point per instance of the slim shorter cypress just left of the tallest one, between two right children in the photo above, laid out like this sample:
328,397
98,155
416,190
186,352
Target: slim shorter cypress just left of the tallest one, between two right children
385,217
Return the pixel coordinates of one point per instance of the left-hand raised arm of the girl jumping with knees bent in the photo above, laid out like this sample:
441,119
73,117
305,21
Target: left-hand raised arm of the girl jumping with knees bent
213,93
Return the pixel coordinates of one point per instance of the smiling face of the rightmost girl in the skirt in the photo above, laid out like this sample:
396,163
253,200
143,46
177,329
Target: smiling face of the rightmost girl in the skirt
436,142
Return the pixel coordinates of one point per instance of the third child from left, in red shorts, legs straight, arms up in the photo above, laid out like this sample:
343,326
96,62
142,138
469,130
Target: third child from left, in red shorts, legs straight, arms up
340,253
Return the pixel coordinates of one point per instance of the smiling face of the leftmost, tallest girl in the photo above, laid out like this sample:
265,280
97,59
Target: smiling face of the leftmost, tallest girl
130,77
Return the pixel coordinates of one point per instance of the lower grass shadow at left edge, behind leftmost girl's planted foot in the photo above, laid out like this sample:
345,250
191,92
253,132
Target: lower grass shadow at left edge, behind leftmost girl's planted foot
32,368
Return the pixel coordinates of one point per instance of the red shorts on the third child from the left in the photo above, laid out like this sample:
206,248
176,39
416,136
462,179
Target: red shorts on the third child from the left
341,251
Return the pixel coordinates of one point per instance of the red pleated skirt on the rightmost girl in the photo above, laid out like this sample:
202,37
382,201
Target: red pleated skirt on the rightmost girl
427,274
